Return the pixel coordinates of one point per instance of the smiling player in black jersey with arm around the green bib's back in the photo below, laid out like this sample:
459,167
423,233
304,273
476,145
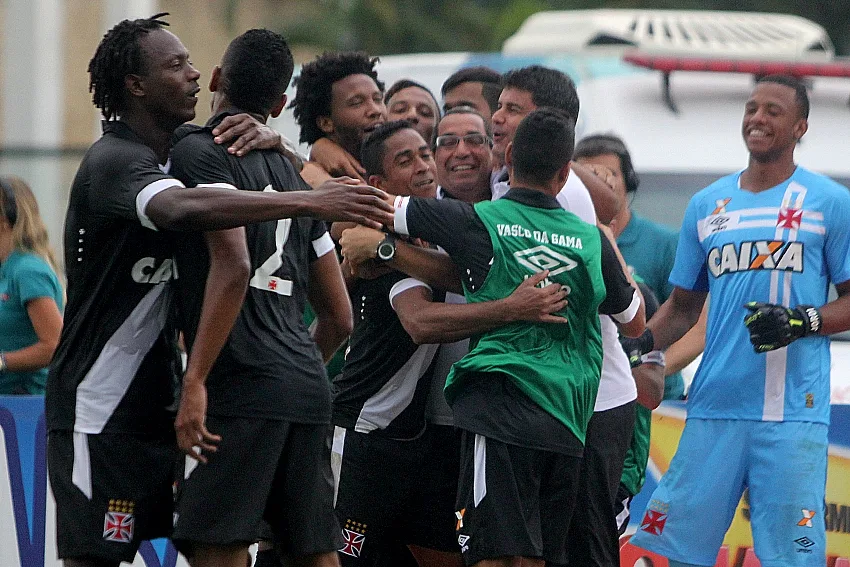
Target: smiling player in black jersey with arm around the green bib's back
386,493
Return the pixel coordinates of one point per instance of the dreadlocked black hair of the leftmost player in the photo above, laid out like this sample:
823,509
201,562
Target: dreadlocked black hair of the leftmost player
118,55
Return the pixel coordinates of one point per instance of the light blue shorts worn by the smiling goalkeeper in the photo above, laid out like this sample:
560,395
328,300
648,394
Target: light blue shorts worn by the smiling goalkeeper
783,464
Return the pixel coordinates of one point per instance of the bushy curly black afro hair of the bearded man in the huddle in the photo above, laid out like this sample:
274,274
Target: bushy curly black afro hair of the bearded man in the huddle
313,87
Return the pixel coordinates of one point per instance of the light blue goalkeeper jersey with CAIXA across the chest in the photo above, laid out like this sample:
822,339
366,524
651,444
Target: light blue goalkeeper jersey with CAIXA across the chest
783,245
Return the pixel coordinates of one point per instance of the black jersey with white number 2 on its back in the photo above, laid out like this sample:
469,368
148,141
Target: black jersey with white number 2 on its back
269,366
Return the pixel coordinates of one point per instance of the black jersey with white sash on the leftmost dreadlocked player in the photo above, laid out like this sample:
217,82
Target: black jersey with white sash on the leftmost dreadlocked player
115,369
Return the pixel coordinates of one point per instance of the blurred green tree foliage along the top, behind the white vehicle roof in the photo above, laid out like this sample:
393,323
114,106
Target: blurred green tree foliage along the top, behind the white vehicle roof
417,26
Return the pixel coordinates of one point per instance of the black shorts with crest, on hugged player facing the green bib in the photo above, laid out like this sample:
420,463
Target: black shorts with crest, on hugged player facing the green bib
386,496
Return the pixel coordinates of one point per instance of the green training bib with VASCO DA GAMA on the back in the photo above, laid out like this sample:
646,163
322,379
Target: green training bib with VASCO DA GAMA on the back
557,366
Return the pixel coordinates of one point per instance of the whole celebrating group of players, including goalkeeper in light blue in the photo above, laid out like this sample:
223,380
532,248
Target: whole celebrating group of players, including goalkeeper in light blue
485,407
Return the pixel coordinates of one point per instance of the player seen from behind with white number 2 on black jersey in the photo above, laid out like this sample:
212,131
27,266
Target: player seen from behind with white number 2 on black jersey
269,396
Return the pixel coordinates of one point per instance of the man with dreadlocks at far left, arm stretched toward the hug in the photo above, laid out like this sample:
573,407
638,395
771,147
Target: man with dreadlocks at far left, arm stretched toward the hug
110,392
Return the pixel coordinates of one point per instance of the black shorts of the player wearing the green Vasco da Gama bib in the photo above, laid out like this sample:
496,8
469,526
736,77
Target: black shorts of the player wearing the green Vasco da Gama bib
514,501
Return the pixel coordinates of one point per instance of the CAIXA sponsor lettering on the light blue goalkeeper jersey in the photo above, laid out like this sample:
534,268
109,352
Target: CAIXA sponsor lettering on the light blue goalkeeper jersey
756,255
